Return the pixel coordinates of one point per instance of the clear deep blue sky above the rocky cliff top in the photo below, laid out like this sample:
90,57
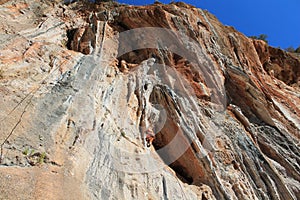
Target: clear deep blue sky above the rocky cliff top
278,19
